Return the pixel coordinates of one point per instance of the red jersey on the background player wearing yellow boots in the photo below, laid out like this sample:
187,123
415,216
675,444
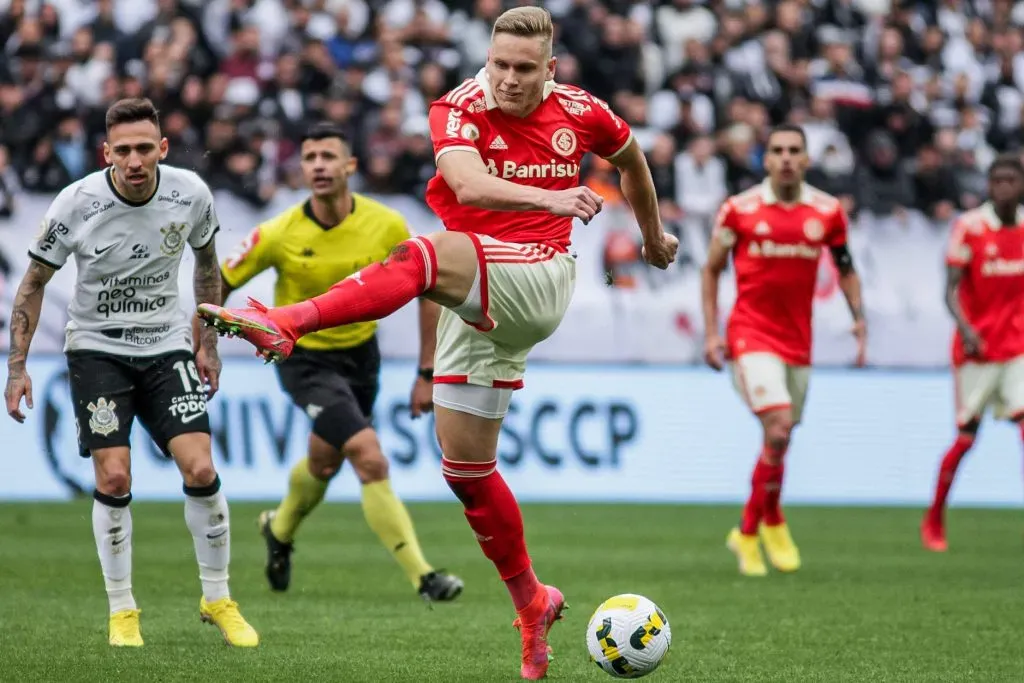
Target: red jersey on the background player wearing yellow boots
776,251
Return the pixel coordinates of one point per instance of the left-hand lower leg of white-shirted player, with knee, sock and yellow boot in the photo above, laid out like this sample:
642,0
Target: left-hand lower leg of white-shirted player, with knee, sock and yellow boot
112,528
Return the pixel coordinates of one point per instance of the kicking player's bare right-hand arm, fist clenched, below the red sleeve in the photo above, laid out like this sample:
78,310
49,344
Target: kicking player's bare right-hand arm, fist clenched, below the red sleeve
638,189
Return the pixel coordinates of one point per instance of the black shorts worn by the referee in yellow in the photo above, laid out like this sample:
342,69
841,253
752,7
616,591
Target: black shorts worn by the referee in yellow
340,386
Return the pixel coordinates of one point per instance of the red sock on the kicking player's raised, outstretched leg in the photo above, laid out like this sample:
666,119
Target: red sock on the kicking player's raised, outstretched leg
373,293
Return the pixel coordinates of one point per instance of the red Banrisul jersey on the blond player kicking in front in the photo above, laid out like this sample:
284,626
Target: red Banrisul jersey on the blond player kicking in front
543,150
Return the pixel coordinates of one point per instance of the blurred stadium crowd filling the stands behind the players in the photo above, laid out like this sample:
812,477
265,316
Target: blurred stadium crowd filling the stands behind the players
905,104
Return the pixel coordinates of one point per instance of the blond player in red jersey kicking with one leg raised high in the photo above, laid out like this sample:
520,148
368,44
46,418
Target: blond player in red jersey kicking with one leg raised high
508,146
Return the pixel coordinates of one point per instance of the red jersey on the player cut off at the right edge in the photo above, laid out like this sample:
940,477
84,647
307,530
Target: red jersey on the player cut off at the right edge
992,291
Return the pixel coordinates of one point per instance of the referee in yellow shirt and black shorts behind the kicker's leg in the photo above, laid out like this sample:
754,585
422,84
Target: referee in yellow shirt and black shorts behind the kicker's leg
334,375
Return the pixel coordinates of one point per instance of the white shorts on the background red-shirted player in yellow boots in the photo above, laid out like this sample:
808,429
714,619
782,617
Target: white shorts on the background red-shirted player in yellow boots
769,383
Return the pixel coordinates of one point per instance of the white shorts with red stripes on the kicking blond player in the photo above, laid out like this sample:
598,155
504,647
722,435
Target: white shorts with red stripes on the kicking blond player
521,297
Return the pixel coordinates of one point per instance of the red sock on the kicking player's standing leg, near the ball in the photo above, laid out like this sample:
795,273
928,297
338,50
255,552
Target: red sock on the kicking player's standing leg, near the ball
494,516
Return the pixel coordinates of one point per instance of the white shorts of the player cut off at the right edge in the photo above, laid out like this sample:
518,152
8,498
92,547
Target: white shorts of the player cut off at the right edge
999,386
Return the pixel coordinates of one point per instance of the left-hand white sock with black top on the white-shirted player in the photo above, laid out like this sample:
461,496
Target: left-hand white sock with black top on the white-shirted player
112,529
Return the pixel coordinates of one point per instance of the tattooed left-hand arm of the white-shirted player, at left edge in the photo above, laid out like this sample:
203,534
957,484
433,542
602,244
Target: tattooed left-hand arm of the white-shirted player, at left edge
24,319
